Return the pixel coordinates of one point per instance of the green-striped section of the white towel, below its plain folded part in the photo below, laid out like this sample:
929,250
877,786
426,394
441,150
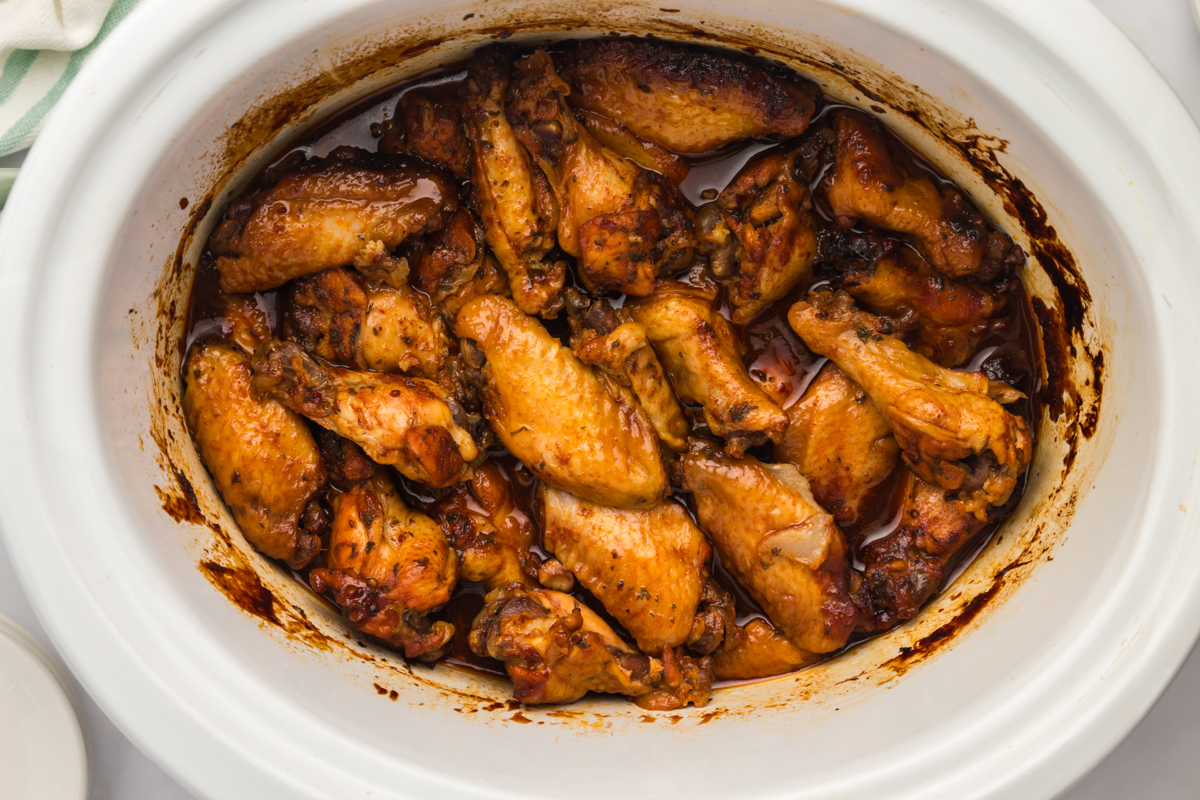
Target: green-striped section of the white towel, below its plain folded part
33,81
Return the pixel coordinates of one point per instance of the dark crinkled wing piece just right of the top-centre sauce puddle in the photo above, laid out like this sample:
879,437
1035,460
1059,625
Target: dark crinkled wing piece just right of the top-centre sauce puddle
759,234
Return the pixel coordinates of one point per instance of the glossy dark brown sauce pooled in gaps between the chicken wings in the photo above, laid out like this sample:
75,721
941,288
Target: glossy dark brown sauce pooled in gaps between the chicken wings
775,357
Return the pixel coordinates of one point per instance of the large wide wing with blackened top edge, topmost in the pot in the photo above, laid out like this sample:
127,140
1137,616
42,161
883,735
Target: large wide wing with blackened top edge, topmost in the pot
685,99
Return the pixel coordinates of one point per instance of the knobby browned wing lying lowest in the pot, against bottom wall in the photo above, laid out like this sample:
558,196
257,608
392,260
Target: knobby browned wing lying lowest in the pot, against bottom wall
557,651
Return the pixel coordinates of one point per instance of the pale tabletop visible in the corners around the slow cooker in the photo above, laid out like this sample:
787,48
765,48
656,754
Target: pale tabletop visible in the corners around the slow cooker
1161,759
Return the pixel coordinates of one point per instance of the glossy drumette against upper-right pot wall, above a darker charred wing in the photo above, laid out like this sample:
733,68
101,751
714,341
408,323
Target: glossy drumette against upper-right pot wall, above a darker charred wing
875,179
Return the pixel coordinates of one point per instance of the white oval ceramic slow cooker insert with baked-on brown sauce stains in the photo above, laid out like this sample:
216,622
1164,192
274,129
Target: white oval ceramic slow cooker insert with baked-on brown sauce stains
1017,679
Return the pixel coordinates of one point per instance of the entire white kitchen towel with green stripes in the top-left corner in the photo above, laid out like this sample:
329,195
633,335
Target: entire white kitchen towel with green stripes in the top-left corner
43,46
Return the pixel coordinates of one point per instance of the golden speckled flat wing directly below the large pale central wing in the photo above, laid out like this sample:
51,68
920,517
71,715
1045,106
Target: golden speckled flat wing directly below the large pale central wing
647,568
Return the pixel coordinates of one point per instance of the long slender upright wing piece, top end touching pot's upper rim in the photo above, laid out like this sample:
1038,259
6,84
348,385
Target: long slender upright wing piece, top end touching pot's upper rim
513,197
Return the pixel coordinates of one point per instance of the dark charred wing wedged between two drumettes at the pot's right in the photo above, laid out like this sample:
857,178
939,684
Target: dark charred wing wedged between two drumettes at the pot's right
952,315
